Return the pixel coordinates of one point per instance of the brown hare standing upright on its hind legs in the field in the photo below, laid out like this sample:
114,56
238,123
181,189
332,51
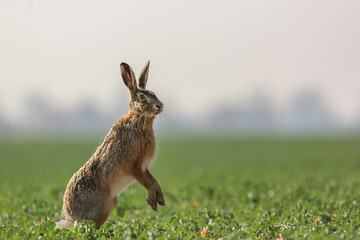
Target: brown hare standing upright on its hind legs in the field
124,156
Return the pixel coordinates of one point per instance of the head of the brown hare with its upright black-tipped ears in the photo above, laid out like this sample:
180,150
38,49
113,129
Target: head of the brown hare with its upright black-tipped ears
142,101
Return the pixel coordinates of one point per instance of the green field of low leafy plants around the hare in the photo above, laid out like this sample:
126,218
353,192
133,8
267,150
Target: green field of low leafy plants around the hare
237,188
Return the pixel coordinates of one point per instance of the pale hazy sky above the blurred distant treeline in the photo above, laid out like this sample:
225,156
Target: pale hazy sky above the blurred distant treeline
203,53
